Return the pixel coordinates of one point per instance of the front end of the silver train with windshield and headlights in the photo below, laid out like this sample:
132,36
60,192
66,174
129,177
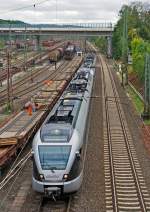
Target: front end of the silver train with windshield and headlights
56,162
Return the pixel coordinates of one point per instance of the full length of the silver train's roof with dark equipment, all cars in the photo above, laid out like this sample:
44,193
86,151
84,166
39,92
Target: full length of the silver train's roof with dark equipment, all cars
59,125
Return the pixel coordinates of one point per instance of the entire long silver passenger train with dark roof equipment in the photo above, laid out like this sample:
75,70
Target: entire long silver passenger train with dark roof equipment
57,164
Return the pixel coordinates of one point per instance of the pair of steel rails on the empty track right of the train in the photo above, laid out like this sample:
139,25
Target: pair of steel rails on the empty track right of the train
127,144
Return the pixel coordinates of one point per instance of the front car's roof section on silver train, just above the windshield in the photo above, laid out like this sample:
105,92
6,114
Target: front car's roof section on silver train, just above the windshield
59,126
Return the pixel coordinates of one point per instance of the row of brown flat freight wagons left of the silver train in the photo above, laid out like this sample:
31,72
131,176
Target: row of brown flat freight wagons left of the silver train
18,130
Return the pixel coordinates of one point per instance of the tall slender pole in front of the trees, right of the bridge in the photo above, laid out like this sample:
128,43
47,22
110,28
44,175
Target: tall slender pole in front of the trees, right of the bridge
125,47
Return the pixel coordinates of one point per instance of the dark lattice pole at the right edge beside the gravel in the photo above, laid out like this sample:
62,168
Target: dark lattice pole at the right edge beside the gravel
146,113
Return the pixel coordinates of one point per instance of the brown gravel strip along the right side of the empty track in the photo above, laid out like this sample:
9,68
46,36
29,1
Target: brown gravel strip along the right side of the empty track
135,124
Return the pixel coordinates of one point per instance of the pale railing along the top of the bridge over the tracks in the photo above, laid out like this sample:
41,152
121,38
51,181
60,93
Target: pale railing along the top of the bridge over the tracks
62,25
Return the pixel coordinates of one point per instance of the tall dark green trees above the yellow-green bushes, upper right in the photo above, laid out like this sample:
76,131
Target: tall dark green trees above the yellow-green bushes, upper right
138,21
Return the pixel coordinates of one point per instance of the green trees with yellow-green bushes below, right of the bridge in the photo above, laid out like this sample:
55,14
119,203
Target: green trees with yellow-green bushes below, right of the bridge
138,25
